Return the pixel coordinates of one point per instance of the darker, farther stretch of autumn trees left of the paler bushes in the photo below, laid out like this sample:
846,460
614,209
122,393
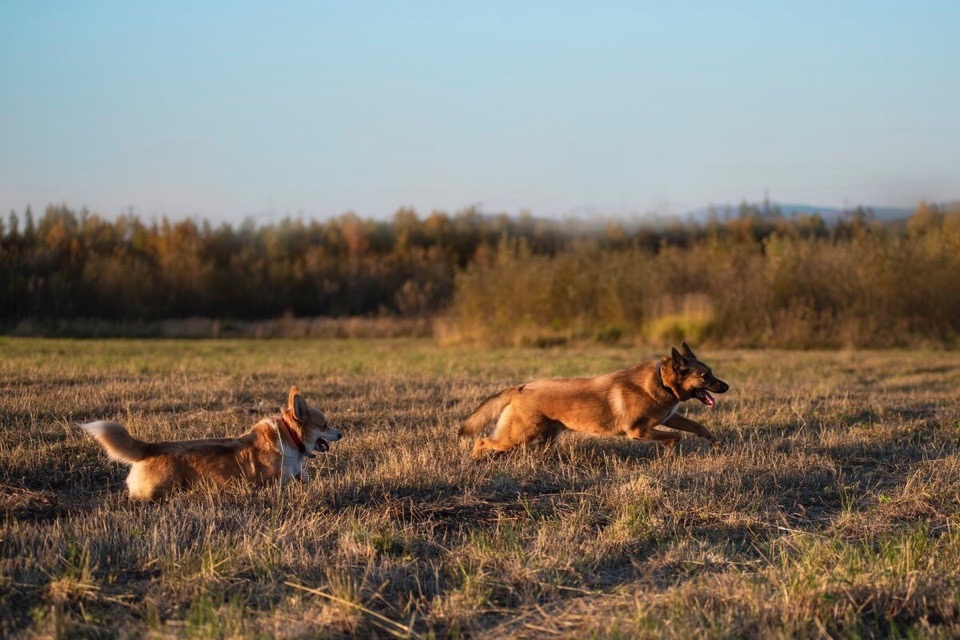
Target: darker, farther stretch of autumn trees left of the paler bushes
72,264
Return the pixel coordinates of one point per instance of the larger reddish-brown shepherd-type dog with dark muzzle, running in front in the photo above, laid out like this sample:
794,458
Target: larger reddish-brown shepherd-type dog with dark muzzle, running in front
631,401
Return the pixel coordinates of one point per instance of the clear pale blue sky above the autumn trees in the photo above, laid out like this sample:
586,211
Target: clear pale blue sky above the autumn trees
231,109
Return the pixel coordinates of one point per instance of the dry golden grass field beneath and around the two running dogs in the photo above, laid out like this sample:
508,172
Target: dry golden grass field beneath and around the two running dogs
832,511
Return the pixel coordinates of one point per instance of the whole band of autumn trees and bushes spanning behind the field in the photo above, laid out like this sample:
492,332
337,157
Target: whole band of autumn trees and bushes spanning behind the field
749,276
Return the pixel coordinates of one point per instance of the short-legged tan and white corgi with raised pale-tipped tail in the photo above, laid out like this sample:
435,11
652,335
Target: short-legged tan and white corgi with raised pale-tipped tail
273,449
